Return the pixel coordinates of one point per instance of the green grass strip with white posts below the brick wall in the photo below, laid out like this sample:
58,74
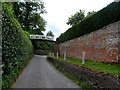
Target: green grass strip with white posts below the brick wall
95,66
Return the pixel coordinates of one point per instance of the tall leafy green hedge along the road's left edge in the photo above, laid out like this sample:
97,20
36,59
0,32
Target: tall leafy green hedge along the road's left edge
16,47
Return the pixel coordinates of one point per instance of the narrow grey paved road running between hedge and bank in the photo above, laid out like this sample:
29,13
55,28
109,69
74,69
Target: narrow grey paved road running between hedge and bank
39,73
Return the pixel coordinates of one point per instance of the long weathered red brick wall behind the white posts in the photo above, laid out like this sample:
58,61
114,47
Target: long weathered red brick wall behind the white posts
101,45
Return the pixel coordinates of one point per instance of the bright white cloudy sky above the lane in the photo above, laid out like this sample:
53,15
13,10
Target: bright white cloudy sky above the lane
58,12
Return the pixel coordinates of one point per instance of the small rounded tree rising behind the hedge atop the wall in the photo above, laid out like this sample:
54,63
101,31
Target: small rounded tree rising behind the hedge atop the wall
76,18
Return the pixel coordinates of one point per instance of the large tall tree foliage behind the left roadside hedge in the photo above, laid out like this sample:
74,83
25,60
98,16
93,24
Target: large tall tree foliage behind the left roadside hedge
29,15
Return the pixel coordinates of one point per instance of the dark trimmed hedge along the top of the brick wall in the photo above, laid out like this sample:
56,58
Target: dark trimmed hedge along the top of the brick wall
107,15
